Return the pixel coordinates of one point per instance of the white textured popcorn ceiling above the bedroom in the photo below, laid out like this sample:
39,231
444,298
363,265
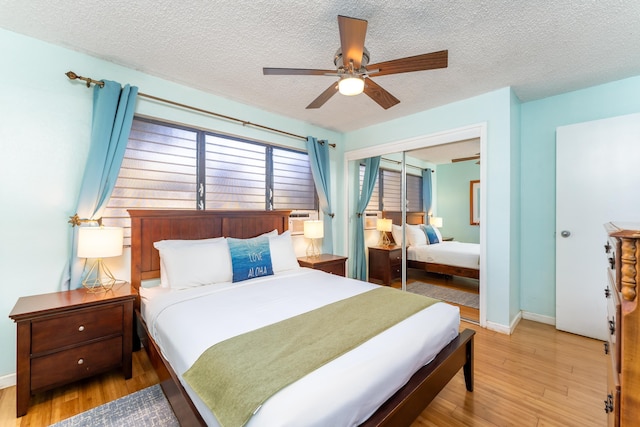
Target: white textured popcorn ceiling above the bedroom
540,48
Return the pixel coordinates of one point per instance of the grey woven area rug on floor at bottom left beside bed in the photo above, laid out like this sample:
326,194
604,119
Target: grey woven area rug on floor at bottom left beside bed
147,407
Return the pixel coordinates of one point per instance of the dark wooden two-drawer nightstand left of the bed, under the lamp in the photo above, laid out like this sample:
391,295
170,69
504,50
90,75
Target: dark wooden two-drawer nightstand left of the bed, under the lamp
70,335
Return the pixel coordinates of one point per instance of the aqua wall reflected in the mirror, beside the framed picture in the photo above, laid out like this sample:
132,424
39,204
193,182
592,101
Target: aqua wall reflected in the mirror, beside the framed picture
452,200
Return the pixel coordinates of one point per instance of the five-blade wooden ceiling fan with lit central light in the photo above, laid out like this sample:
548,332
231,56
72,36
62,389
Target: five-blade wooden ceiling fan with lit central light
355,72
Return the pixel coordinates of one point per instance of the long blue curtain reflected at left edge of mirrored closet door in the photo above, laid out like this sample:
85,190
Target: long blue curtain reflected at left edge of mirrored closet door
370,174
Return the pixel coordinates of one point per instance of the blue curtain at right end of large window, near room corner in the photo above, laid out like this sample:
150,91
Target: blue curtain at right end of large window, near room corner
320,169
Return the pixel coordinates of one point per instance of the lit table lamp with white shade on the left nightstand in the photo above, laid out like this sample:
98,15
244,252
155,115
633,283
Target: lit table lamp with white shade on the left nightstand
98,243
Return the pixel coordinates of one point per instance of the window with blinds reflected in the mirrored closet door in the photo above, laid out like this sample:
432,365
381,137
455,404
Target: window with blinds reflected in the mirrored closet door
387,191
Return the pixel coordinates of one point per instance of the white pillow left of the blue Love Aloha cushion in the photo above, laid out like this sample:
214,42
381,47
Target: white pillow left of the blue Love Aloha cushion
197,264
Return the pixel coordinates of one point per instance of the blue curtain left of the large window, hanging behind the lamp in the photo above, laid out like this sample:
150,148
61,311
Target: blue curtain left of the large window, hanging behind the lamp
113,108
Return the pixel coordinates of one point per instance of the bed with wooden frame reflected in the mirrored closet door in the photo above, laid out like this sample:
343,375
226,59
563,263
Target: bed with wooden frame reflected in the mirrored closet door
447,257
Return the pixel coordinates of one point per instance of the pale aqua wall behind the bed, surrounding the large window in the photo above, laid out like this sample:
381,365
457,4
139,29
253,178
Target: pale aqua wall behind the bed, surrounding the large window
45,124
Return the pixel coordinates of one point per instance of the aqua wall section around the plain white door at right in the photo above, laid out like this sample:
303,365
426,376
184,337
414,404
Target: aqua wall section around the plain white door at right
539,120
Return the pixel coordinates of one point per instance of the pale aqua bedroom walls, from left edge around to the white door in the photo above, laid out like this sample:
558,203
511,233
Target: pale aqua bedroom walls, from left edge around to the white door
44,135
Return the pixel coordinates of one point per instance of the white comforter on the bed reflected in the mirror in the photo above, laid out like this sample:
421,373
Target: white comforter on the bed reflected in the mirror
458,254
